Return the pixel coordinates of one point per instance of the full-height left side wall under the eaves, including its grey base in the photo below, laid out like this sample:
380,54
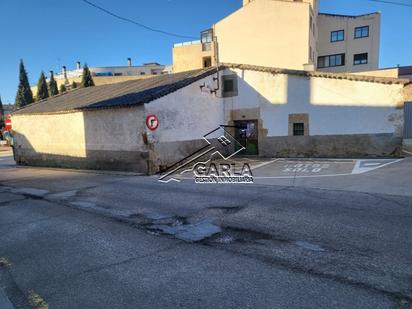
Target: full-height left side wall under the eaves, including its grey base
105,139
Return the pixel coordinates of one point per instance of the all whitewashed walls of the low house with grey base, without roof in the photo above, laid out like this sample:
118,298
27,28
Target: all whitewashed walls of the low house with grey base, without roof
343,118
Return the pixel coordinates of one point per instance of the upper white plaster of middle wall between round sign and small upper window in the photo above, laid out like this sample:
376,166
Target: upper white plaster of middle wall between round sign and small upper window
187,114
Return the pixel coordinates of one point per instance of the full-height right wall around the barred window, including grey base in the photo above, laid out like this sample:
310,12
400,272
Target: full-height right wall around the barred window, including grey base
335,108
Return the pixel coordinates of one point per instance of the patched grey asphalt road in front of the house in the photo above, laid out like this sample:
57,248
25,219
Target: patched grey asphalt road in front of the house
85,240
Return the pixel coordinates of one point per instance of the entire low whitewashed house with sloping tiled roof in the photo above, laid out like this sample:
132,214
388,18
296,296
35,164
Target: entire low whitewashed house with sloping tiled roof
273,112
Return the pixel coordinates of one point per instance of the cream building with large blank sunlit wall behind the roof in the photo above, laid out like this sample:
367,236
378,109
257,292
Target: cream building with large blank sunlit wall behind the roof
262,32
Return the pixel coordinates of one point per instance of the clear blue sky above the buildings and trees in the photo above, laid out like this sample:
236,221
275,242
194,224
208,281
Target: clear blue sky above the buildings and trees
48,33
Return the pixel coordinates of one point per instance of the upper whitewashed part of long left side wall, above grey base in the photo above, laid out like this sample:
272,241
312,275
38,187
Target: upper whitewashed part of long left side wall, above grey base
73,134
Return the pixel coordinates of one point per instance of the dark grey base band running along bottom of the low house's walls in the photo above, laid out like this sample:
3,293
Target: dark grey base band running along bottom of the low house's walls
166,154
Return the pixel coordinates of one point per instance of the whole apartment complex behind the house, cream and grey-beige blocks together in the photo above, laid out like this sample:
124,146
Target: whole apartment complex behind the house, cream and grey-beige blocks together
285,34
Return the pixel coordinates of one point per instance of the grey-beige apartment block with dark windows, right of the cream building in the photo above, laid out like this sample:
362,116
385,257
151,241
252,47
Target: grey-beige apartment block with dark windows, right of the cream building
348,43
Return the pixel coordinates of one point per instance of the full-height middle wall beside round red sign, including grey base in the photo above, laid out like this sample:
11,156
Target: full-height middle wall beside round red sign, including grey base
185,116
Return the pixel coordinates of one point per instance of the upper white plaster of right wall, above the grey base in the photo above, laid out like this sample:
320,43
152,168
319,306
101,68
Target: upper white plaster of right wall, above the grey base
334,106
